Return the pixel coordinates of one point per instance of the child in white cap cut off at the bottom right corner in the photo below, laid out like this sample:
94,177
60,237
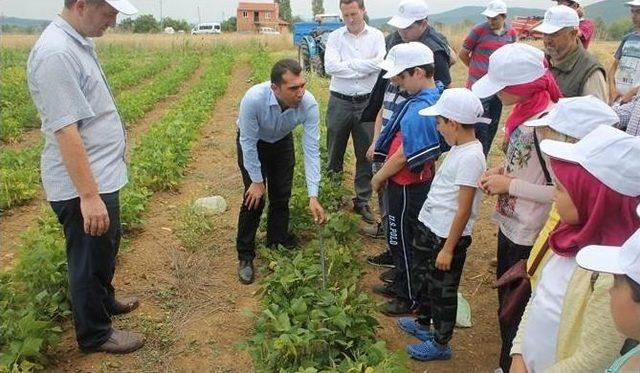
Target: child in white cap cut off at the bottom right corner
624,263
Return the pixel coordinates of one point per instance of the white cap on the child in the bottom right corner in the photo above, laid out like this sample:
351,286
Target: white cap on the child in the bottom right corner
619,260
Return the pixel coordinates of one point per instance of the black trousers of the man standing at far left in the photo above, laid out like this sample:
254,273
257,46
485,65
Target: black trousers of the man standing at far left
91,266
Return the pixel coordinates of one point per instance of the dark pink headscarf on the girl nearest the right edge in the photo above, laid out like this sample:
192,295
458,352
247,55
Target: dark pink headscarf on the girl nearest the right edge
606,216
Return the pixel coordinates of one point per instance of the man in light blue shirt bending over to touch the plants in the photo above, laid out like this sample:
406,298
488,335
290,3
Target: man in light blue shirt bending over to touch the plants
269,112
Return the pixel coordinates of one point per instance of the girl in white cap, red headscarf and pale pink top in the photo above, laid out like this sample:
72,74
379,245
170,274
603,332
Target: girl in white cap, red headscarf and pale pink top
517,74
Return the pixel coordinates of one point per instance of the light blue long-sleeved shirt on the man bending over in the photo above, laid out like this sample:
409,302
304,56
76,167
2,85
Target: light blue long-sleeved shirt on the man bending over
261,118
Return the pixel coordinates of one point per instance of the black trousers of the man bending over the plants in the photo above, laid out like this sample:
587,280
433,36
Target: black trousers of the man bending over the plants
277,160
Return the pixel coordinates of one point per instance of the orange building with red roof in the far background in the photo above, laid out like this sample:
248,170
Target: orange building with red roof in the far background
252,16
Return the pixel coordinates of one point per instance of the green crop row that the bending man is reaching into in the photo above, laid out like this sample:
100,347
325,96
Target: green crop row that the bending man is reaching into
307,324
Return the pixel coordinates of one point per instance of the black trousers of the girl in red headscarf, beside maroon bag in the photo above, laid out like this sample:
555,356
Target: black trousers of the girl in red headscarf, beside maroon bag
509,254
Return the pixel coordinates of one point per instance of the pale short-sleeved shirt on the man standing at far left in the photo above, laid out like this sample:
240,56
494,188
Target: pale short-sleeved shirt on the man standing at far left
68,86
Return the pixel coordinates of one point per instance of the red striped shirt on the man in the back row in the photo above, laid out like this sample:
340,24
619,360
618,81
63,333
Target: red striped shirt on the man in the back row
482,41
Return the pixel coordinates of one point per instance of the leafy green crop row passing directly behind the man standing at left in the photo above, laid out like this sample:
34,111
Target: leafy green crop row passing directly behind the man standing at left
34,294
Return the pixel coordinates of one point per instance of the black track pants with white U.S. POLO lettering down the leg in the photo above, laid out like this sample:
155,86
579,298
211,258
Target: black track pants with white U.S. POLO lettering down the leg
404,203
